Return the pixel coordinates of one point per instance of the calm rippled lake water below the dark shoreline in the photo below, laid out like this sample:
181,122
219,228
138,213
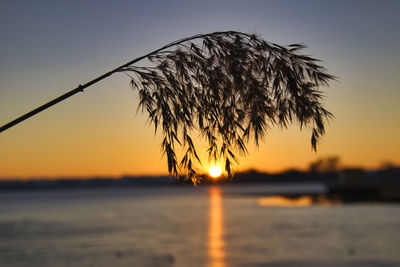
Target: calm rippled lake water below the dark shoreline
186,226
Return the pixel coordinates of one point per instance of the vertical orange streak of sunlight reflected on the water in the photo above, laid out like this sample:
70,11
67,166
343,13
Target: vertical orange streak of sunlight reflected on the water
216,242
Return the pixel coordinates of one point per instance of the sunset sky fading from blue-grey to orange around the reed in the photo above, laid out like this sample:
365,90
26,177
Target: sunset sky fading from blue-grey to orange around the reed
49,47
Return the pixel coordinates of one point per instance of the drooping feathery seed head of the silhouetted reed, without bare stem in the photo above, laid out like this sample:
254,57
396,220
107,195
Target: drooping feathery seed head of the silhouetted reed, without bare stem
231,87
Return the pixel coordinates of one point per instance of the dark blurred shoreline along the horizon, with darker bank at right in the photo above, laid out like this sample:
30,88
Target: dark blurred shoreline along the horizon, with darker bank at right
349,185
